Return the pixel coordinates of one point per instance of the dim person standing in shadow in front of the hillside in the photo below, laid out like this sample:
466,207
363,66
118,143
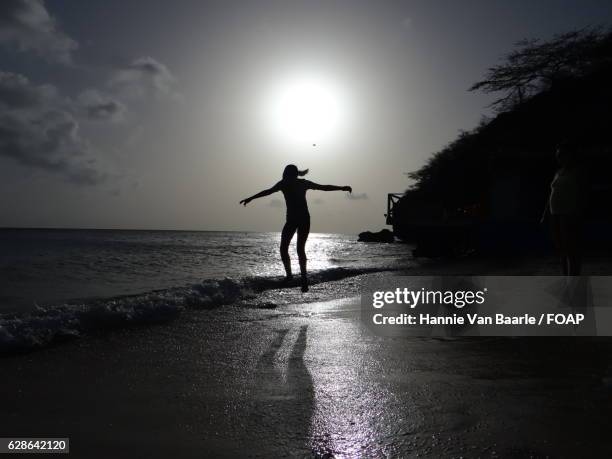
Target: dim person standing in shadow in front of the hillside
565,207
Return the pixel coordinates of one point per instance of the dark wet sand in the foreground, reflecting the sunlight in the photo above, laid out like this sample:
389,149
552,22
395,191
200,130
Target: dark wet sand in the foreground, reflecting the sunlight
310,380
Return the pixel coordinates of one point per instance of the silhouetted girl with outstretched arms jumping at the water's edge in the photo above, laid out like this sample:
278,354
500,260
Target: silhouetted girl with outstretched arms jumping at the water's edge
298,218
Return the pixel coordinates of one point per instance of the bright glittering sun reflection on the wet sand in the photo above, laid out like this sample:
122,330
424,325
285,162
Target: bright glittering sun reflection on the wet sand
350,412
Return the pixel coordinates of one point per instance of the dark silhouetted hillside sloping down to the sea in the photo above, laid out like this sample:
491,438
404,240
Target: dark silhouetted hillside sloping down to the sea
500,172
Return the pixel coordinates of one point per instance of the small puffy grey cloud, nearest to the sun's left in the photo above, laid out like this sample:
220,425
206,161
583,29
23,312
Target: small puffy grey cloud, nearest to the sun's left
145,76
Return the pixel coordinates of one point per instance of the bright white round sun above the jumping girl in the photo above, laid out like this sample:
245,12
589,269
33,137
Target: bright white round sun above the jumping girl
306,110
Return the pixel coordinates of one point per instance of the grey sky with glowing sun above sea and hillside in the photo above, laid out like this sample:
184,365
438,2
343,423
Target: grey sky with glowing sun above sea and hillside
161,115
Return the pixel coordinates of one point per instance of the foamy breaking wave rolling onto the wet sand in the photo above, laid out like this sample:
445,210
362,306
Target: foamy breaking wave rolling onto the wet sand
22,332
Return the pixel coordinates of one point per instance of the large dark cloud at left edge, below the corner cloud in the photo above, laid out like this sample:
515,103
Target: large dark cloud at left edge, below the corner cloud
38,130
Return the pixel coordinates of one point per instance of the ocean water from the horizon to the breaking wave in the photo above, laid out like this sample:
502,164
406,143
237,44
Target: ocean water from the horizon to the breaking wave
57,283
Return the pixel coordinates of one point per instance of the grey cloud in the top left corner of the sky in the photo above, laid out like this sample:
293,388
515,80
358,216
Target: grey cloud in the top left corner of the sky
28,25
